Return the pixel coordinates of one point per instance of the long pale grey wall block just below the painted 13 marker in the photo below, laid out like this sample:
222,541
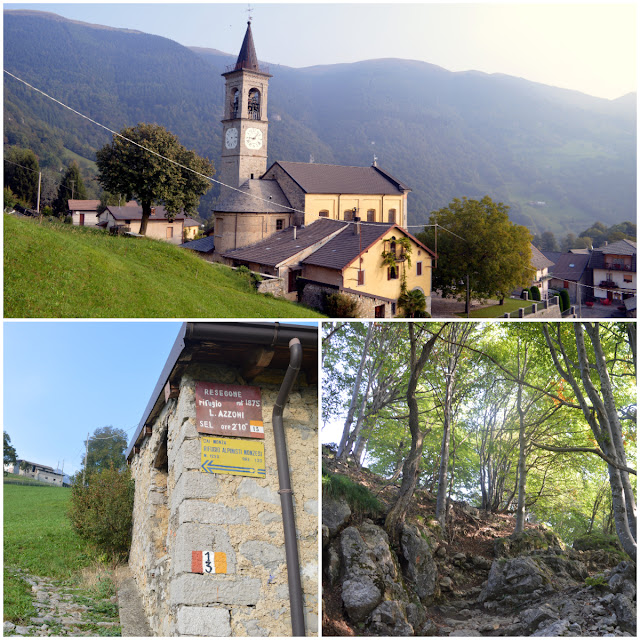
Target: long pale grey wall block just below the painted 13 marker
194,588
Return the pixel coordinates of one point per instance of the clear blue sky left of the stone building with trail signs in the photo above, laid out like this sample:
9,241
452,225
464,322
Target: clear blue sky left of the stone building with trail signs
63,380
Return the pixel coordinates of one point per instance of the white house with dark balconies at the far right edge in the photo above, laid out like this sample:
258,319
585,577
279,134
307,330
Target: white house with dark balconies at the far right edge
614,271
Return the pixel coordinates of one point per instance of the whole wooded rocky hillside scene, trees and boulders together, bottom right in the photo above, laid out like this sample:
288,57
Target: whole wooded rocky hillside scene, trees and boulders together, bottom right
472,434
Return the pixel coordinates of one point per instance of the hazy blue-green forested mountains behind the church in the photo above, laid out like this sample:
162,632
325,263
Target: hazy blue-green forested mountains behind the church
445,134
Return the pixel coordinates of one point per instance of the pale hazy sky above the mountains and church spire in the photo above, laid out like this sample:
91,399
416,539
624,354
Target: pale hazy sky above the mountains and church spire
587,47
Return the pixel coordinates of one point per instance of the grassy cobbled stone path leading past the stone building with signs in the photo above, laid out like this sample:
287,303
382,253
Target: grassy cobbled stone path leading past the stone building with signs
58,613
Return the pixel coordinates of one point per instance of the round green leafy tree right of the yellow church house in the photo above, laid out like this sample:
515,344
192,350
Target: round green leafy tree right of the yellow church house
482,243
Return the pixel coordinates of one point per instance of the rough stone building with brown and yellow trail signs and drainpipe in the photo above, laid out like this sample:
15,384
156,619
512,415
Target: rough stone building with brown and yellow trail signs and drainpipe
208,551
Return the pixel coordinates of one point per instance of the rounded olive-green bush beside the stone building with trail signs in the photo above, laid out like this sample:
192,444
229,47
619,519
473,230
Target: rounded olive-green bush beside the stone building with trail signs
101,510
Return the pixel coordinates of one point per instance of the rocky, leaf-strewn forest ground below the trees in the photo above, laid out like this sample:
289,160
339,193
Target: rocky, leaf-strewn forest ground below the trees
479,580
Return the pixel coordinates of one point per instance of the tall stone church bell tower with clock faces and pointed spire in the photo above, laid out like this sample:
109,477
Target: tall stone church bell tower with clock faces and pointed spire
245,124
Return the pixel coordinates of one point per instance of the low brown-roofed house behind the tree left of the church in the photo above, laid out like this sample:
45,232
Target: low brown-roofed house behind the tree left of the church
129,218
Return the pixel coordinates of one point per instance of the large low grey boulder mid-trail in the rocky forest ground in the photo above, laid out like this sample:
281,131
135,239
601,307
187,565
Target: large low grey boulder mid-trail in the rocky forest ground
514,577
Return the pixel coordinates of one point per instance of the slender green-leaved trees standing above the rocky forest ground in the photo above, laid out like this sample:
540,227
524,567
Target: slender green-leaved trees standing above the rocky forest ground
519,418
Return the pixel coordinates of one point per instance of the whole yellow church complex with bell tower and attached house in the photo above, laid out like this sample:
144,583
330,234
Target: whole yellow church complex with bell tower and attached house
319,228
